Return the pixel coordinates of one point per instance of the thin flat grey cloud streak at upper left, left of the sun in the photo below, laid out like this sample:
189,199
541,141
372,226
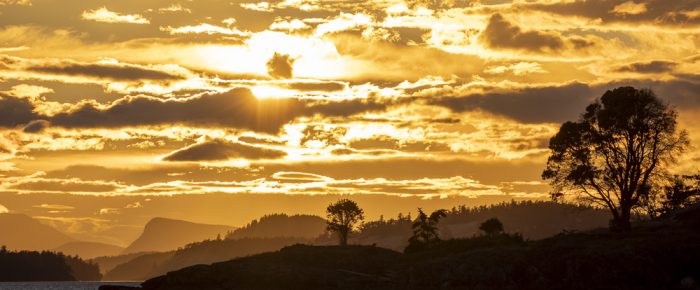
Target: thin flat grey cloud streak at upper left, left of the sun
119,72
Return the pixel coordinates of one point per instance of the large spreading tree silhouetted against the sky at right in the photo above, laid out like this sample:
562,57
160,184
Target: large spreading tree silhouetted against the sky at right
617,153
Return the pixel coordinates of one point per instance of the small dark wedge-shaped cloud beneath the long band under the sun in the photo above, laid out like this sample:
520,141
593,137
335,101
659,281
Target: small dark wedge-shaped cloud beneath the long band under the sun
219,149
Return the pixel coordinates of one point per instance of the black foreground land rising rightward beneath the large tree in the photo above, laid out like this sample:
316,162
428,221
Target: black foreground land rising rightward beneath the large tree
660,254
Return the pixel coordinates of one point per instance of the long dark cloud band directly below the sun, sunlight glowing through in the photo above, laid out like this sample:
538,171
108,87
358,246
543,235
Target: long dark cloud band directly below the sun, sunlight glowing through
237,108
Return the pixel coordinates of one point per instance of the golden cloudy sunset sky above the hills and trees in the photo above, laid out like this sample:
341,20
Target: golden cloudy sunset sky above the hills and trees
116,111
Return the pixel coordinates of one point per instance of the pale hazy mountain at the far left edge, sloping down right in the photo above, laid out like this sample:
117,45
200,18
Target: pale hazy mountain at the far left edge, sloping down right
21,232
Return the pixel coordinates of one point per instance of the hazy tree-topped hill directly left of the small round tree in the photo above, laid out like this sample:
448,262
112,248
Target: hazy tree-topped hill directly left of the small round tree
282,225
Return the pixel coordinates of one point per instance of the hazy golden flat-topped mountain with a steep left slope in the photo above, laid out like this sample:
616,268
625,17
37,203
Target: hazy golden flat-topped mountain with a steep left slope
161,234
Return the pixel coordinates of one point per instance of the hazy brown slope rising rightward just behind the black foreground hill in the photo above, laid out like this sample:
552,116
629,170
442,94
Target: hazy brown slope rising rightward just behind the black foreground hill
211,251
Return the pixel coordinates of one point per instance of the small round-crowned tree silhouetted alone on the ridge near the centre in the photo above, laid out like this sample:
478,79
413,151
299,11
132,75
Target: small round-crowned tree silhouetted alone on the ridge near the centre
342,217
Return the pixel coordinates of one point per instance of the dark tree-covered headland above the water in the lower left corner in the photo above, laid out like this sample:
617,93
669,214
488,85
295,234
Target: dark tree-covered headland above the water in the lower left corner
45,266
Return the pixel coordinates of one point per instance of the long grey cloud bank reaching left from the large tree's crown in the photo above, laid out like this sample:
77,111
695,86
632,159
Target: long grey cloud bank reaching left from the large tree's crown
531,105
